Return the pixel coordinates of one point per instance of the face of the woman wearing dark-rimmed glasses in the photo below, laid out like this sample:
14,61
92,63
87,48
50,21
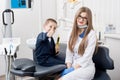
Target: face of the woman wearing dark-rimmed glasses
82,19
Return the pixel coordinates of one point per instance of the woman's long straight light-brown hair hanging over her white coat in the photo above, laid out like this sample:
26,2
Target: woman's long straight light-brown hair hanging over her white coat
74,34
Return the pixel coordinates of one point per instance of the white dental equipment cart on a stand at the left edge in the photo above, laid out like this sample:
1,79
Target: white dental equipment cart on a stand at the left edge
8,49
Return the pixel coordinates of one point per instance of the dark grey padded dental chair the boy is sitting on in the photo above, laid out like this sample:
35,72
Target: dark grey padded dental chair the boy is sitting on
26,67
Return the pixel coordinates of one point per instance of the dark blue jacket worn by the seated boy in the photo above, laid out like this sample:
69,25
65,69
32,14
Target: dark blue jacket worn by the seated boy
44,48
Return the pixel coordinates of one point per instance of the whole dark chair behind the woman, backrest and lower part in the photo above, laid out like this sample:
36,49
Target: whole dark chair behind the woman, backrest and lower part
103,62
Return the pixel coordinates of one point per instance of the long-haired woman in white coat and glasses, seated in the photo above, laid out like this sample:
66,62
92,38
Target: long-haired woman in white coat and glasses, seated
80,48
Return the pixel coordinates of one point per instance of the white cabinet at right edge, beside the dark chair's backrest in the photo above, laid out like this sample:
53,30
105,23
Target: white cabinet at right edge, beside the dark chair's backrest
113,41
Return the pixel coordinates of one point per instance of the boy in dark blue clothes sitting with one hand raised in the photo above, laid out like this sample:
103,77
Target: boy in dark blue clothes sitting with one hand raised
45,52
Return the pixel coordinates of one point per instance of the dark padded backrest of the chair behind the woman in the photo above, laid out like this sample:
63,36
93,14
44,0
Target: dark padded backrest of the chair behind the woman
102,59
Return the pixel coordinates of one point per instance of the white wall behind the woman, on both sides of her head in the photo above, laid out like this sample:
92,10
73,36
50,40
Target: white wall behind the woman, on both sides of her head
104,12
